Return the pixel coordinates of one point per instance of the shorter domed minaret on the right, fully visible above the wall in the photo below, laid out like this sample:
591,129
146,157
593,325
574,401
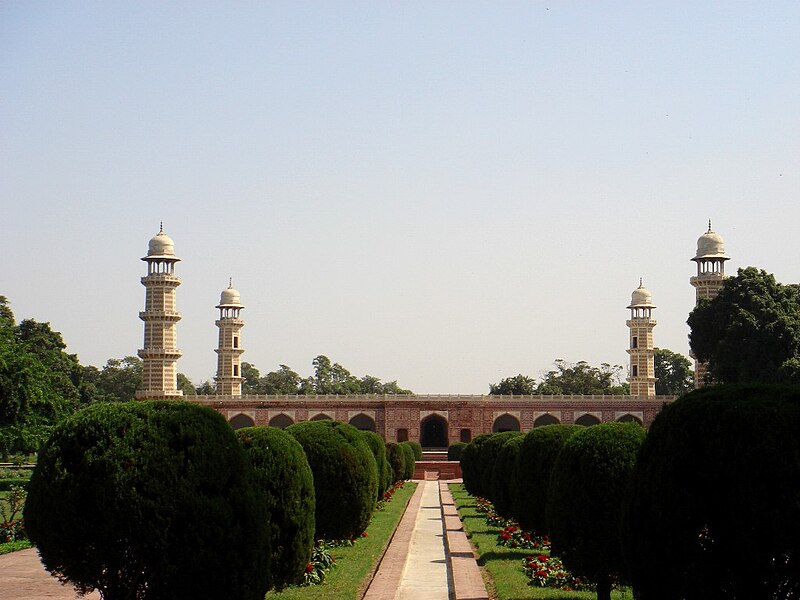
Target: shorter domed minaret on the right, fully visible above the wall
643,377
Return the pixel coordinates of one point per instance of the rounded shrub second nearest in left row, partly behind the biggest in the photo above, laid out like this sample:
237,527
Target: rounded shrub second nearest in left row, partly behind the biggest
284,479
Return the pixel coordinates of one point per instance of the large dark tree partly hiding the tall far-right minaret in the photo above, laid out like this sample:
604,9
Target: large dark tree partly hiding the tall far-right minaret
750,331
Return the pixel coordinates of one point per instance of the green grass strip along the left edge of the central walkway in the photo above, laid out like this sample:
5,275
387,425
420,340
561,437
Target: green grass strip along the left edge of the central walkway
355,564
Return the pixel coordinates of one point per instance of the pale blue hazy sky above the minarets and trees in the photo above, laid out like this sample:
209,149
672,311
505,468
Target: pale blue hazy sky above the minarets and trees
439,193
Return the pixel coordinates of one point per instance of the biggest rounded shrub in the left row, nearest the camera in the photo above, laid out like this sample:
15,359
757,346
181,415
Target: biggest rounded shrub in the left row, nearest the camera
149,500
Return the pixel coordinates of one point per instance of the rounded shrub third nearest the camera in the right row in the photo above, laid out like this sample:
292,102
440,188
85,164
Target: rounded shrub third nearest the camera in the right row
534,466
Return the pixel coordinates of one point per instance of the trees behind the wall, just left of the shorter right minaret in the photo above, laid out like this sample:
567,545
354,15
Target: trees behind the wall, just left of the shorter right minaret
581,378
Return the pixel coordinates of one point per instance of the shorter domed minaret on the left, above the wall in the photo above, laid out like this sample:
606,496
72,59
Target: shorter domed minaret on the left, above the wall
229,352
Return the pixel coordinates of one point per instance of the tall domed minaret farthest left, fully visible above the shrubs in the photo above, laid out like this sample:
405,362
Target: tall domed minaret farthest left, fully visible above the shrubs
160,354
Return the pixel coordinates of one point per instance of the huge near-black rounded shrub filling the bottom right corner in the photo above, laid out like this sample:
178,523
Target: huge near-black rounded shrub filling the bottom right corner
716,487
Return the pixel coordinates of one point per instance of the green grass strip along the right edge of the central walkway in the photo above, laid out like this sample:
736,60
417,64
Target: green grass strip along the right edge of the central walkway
504,565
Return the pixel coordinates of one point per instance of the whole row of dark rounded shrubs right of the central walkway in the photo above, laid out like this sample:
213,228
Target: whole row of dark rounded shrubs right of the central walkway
673,511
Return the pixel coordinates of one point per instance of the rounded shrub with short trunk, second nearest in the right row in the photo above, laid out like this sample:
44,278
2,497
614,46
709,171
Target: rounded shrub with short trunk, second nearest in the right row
589,485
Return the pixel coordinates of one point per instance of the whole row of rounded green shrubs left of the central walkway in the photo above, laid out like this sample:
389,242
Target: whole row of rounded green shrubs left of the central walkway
163,500
